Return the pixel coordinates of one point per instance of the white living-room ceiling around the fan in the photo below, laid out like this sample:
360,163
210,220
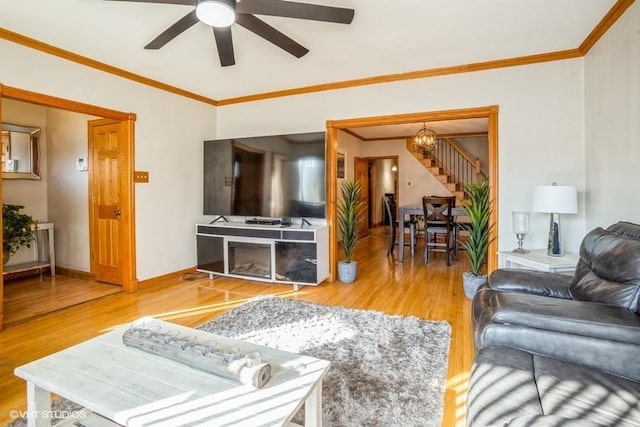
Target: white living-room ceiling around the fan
385,37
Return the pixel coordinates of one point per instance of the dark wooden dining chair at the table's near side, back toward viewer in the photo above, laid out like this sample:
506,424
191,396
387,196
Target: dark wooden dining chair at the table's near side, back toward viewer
439,222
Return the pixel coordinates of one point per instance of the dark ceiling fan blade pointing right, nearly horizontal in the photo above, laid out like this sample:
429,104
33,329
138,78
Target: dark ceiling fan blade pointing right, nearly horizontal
291,9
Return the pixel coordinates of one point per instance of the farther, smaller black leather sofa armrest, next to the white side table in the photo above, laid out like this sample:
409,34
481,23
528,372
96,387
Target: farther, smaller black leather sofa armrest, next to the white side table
531,282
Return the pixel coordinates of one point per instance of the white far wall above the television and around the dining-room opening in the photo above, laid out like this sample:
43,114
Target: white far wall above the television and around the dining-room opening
541,127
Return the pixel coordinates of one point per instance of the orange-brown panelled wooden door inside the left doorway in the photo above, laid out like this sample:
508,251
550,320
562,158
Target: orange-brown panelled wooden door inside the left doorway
106,200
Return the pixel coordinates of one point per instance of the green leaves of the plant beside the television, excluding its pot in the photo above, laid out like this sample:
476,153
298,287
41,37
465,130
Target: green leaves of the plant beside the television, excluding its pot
347,211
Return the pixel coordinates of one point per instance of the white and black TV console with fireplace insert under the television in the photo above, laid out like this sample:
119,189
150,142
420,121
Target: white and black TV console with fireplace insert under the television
290,254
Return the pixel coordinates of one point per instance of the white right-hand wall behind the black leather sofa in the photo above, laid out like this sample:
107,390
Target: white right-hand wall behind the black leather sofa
612,88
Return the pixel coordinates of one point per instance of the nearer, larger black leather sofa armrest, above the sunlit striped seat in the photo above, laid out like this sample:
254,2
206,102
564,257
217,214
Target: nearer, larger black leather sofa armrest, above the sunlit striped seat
596,335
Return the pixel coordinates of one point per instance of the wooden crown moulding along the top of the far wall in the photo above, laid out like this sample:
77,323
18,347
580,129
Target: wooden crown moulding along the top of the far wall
421,74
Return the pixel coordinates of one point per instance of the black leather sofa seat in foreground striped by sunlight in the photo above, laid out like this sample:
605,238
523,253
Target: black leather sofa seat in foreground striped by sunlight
511,387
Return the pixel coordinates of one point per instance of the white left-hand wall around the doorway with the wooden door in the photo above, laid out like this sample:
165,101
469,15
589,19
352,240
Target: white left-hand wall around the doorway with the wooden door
169,133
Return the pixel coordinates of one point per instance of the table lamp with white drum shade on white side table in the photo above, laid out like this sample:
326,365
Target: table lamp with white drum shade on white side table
555,200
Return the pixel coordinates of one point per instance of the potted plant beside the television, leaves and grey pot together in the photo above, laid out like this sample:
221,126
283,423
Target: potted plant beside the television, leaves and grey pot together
347,218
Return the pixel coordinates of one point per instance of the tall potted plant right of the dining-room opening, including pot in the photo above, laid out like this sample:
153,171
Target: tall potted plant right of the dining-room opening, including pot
476,245
